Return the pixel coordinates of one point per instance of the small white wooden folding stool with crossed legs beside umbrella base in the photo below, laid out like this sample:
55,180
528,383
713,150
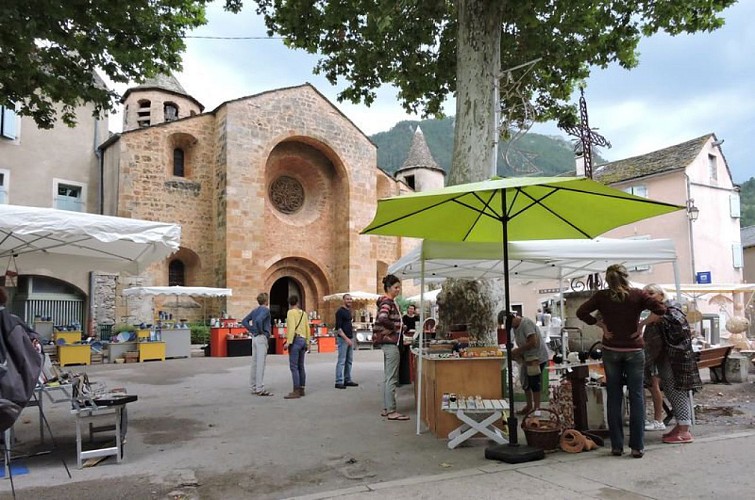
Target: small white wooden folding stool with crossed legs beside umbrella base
479,417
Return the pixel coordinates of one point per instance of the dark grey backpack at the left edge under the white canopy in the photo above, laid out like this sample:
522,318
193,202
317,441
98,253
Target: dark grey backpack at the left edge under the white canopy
20,365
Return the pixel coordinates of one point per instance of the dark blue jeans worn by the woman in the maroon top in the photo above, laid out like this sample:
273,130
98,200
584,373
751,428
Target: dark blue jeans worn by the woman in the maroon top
631,365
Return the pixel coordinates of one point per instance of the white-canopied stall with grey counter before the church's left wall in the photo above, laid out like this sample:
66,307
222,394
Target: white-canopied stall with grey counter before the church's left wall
177,337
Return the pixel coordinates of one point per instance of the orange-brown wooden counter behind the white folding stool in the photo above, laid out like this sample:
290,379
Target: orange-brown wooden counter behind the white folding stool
462,376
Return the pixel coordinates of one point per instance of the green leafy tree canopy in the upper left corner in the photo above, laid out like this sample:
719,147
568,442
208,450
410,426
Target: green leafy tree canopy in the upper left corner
50,50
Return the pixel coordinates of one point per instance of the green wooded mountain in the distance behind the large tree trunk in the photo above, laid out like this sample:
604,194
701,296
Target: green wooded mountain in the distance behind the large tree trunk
532,154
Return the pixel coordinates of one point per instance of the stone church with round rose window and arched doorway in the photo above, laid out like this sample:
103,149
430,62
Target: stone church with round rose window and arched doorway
271,191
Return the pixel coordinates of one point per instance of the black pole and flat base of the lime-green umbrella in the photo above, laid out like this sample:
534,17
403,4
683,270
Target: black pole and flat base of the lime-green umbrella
512,452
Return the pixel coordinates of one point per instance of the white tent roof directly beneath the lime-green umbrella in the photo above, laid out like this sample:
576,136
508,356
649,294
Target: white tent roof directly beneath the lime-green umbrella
536,259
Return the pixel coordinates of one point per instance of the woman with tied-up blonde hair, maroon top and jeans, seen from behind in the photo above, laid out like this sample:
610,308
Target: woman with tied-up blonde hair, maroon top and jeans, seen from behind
620,306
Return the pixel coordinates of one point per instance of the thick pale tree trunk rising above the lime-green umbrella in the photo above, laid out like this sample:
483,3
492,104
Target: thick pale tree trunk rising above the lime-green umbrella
478,63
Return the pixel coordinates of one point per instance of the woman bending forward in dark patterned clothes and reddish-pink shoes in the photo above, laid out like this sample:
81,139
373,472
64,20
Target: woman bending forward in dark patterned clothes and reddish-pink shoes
675,363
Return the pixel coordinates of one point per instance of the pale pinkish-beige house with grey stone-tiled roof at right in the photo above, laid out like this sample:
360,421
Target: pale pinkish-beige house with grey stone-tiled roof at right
706,236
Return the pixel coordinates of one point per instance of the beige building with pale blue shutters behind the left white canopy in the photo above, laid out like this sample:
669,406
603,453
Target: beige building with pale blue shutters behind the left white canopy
55,168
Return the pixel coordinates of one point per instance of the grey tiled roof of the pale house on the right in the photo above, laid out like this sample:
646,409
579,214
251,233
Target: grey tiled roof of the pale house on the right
664,160
